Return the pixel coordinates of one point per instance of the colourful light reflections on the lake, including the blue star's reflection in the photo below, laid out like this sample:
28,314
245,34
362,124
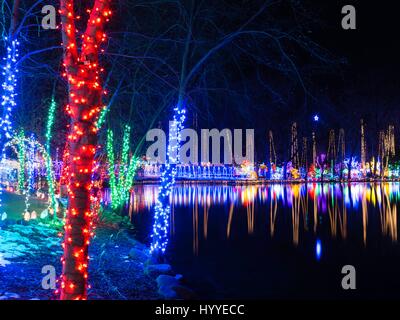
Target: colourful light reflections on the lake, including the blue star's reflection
312,208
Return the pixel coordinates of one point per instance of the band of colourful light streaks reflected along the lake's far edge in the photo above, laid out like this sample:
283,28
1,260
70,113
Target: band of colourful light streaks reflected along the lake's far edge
329,200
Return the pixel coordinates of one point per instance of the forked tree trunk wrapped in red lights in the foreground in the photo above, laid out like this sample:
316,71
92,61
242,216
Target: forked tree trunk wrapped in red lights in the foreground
85,103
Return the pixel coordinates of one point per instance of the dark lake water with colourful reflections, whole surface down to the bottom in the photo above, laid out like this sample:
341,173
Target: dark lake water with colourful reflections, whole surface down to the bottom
280,241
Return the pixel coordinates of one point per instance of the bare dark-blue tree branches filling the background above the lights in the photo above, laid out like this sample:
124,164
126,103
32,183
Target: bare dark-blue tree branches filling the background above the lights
258,64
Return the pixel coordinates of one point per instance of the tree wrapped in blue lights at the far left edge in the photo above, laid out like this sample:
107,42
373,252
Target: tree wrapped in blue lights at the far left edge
19,16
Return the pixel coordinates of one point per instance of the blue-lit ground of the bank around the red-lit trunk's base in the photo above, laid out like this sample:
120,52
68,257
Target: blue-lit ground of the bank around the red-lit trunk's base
26,247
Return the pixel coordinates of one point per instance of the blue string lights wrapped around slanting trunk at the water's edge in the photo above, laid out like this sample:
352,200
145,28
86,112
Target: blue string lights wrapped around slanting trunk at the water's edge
162,208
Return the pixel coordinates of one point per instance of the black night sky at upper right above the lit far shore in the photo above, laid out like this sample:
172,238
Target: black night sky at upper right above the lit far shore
367,84
